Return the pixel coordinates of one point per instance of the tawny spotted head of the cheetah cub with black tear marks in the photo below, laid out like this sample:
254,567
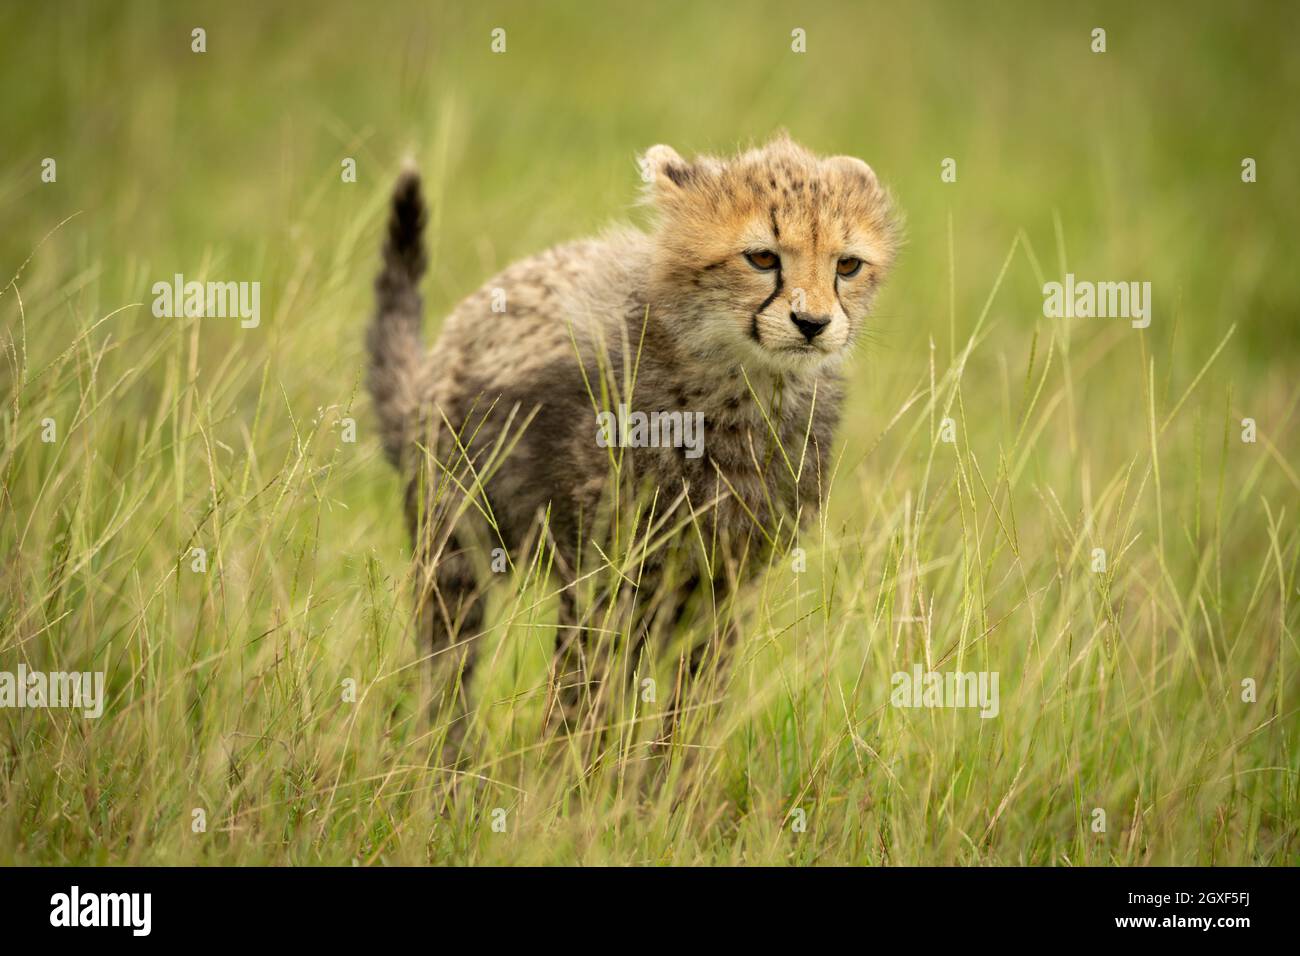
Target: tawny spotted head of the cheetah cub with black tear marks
772,258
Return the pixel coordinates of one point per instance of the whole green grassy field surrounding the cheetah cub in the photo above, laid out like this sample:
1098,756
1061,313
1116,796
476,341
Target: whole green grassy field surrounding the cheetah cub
1125,690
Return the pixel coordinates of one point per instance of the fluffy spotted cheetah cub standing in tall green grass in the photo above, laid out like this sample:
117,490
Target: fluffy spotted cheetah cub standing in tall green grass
519,434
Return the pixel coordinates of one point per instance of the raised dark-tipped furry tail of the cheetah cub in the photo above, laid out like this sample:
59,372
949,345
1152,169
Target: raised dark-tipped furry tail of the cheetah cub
395,335
